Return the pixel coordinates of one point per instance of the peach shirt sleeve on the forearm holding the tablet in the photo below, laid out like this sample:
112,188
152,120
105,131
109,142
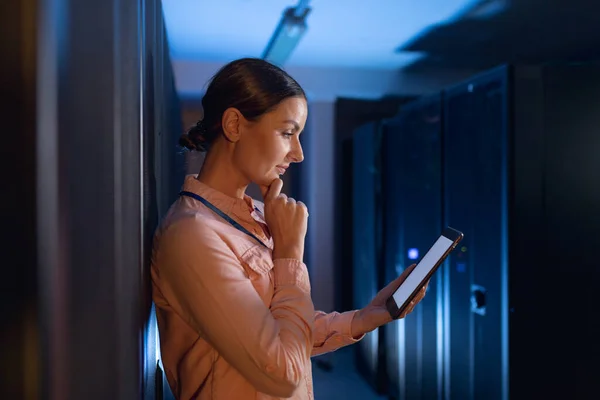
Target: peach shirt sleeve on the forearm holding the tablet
332,331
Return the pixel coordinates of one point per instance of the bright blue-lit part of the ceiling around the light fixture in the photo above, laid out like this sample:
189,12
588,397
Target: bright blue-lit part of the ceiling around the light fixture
347,34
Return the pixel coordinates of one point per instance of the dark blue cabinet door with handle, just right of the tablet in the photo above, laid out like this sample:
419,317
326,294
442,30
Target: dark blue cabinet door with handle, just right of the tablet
475,196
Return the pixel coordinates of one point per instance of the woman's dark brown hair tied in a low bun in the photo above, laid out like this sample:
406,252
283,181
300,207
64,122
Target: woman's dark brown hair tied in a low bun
251,85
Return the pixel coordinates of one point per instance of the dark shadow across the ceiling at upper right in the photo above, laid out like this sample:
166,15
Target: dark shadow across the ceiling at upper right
526,32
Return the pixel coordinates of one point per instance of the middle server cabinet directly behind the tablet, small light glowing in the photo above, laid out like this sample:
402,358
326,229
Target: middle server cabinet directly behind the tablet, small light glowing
411,186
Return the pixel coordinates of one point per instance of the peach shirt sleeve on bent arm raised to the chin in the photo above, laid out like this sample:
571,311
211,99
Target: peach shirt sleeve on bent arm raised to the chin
207,285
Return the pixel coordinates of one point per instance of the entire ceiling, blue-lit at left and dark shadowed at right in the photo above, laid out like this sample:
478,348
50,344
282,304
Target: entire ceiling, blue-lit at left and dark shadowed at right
372,48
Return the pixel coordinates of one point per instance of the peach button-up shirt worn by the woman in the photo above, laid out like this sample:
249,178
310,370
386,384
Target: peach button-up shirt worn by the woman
234,323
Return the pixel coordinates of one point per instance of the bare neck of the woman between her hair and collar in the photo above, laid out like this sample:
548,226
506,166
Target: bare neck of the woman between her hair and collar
219,173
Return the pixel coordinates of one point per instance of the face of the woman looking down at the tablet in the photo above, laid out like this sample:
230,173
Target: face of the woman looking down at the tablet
267,146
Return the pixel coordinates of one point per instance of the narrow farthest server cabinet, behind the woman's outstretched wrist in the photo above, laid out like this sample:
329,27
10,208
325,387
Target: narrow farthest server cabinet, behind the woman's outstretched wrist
366,241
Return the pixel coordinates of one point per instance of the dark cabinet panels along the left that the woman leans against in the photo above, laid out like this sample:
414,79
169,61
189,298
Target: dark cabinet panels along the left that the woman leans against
75,299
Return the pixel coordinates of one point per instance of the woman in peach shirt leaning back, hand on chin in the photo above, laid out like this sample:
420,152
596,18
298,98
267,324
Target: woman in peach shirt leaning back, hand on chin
232,294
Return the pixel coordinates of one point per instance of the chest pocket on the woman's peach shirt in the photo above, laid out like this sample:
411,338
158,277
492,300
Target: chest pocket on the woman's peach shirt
258,264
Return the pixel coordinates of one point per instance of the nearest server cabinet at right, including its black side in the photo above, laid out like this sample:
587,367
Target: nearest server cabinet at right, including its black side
521,181
